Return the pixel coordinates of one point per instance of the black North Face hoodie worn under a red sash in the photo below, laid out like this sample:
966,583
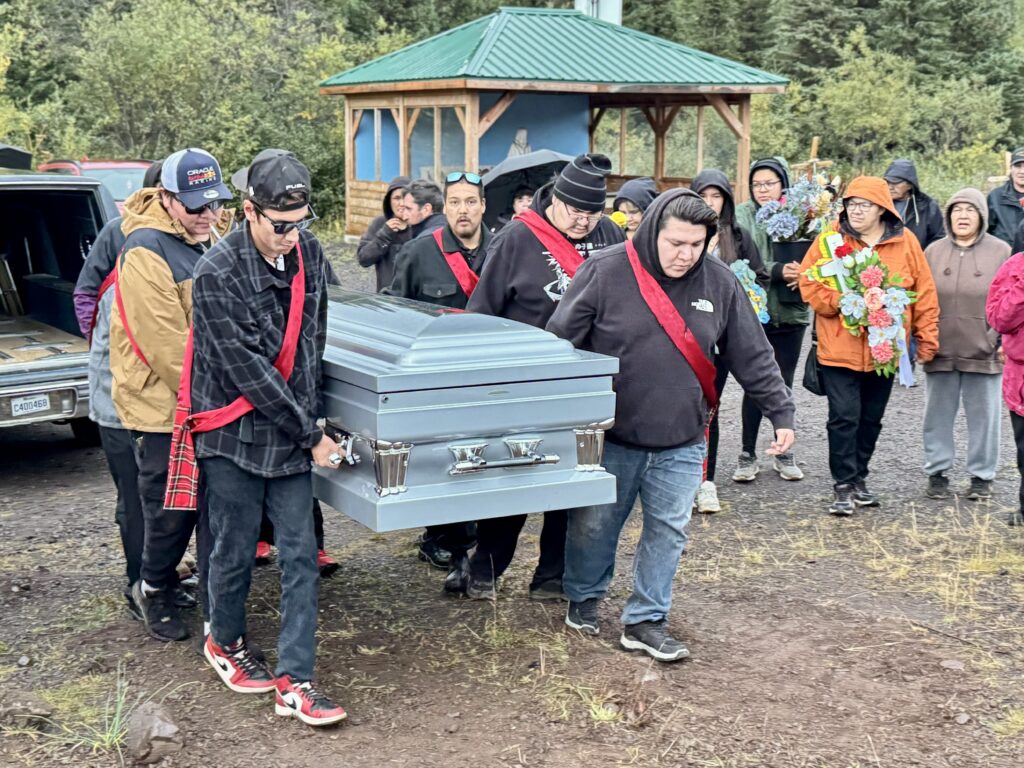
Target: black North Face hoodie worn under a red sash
659,402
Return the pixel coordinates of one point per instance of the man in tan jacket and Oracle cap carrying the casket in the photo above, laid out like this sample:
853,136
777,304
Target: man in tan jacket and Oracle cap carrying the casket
167,230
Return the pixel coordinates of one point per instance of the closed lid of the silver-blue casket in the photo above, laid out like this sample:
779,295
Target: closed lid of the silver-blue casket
388,345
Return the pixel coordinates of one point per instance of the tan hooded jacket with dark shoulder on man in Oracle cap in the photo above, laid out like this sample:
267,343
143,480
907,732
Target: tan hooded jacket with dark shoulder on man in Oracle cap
156,276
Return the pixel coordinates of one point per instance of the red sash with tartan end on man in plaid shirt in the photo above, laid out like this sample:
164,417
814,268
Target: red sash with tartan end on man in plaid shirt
183,475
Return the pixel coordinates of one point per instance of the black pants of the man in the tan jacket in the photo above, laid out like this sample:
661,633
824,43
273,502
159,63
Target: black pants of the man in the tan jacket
167,533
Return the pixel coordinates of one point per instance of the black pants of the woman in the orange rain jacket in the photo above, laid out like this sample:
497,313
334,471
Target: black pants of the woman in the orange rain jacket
857,404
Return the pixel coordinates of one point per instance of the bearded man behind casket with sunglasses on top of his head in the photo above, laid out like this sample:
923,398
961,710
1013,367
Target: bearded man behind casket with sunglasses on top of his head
442,269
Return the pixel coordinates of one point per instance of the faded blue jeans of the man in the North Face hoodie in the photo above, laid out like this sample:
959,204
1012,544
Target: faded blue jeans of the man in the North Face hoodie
667,483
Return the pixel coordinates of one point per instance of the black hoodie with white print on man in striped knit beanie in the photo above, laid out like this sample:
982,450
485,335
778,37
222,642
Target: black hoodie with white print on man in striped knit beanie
521,280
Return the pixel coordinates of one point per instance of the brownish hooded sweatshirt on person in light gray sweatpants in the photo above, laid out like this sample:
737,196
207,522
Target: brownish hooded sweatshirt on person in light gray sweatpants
963,276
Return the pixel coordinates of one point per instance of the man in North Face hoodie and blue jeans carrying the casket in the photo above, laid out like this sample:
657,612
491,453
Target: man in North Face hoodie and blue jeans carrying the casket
662,307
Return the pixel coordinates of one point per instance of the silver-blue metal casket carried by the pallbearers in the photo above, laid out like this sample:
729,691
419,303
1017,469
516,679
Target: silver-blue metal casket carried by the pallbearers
452,416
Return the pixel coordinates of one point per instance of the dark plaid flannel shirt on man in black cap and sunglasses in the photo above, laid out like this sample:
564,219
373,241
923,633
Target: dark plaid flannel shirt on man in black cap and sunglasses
240,310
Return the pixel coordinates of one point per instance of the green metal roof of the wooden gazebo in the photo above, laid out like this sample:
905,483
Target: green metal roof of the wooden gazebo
553,46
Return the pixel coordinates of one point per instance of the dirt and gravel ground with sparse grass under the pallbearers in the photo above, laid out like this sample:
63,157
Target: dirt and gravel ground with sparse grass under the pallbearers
895,638
